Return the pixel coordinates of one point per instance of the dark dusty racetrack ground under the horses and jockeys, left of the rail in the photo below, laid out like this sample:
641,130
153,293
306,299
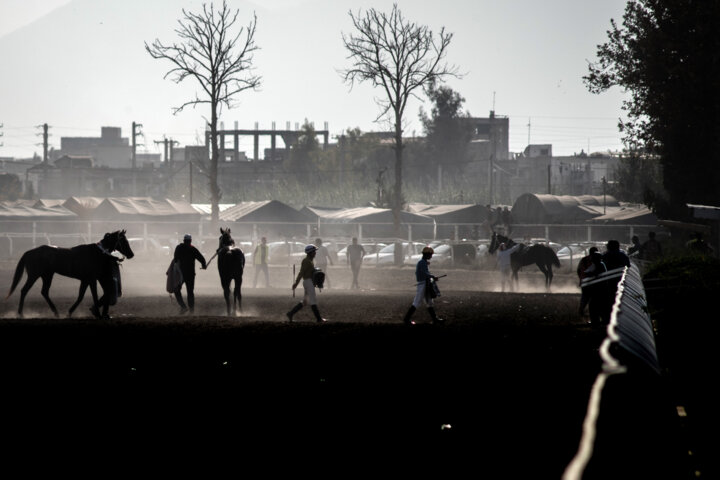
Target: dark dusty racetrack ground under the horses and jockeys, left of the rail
503,386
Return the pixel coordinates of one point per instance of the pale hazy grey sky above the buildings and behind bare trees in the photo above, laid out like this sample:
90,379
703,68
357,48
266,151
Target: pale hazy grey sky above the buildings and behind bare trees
79,65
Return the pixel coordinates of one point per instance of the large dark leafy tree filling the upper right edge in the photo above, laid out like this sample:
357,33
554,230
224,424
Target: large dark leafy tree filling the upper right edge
666,55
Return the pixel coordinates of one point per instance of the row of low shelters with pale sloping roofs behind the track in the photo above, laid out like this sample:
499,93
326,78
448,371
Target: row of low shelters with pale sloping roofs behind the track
83,219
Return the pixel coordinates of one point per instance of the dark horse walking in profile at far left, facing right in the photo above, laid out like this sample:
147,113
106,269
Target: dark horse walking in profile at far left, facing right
88,263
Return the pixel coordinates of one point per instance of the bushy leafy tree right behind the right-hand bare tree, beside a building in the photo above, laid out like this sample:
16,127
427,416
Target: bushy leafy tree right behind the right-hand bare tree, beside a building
447,131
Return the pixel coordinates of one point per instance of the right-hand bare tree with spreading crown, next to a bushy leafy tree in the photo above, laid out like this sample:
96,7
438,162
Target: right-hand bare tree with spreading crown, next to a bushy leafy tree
401,58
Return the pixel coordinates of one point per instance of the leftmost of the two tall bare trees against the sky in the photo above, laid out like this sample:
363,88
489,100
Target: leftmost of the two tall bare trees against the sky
221,63
